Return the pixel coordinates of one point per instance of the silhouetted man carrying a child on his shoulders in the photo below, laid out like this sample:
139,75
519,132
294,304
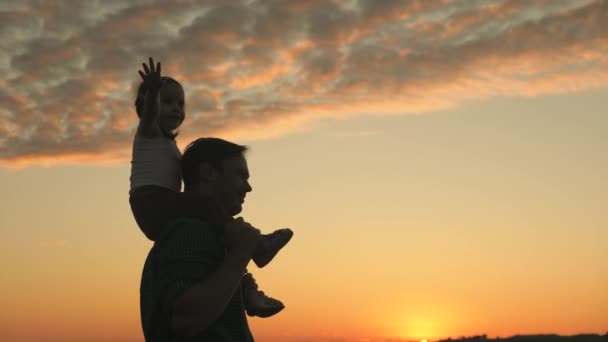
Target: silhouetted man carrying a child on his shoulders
191,282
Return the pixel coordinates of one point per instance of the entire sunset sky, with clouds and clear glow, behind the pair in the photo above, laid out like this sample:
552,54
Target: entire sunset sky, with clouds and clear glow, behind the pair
442,163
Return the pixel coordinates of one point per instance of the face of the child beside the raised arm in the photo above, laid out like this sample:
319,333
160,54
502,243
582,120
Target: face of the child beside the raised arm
172,112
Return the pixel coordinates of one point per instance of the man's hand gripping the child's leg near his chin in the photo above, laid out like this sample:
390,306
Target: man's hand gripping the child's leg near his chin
242,239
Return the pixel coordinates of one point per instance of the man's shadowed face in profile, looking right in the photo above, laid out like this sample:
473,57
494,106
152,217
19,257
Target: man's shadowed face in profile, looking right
232,185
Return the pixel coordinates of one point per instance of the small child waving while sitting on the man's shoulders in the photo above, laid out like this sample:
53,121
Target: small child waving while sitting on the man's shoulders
155,195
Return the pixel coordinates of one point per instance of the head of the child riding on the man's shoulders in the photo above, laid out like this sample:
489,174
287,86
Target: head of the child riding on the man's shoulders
172,105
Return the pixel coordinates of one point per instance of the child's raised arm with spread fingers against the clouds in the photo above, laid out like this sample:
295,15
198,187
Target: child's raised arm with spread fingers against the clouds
148,126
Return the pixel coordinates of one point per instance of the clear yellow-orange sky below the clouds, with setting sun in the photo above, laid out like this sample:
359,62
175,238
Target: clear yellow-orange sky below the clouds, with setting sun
492,224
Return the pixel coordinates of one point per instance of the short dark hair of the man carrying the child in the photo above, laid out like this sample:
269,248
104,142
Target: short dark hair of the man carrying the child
211,150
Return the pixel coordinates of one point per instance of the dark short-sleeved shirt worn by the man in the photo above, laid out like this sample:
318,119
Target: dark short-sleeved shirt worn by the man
190,252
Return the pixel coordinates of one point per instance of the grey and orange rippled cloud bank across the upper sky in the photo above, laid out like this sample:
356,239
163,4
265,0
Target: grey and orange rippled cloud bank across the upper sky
258,69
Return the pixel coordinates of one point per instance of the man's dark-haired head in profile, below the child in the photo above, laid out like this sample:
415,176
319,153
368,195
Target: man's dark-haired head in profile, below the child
217,169
